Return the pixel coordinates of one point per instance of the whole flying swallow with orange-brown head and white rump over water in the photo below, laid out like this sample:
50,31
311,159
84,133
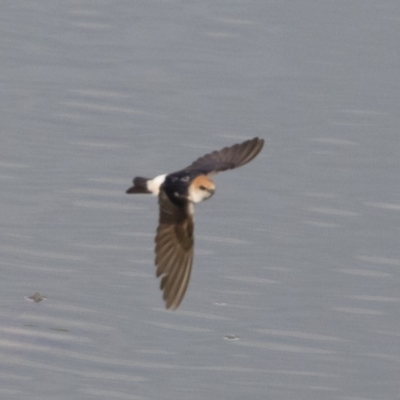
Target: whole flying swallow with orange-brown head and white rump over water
177,192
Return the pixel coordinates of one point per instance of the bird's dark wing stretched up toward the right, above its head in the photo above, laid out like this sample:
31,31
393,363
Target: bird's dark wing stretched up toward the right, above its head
227,158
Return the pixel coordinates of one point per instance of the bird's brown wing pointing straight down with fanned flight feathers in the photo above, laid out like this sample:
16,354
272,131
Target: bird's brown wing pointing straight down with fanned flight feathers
174,249
